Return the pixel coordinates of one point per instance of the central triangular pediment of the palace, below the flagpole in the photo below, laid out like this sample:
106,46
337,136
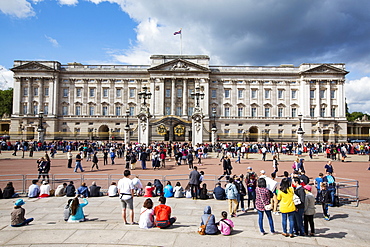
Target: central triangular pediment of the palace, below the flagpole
179,65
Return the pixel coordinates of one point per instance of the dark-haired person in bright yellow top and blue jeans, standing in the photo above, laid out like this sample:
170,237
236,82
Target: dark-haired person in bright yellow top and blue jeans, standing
287,207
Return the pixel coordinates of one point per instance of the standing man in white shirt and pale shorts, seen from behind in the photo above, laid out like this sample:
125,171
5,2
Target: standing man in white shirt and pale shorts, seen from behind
126,195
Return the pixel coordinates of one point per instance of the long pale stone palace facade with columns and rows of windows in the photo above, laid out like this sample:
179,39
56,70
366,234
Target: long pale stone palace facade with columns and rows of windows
241,103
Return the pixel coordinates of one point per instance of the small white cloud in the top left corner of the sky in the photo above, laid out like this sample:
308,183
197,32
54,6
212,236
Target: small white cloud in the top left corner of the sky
17,8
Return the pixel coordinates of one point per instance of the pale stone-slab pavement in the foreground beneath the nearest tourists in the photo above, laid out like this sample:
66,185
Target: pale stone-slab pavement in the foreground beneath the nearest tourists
105,227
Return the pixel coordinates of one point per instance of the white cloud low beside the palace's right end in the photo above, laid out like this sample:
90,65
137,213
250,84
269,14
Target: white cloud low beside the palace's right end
357,95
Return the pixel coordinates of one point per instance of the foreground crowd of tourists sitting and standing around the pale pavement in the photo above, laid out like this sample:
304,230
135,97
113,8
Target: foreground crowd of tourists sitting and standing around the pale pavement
292,198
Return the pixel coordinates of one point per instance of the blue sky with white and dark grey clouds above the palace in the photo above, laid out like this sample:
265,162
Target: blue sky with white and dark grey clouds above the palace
233,32
